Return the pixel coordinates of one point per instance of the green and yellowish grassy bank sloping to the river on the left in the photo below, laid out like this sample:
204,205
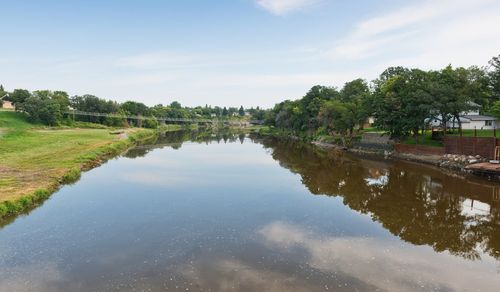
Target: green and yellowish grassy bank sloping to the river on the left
36,160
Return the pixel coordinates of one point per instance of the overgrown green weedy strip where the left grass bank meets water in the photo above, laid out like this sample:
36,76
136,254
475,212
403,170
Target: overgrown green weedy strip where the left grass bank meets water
13,208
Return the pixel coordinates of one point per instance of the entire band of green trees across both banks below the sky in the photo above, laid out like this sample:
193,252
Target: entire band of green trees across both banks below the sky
401,101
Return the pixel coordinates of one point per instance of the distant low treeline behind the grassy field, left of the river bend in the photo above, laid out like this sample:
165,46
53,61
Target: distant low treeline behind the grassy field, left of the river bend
48,107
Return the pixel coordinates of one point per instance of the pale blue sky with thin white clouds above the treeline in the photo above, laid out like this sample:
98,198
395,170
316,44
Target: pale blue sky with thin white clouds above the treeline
233,52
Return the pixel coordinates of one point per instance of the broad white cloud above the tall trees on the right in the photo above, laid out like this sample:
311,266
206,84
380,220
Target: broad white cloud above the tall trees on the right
428,34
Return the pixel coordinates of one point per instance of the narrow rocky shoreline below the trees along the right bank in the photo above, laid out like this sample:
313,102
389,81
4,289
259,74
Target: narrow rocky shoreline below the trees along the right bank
429,160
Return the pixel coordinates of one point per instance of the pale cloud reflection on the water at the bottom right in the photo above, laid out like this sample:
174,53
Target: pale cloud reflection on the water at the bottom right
390,266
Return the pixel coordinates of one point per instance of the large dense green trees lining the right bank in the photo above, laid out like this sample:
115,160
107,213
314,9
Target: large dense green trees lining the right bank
401,101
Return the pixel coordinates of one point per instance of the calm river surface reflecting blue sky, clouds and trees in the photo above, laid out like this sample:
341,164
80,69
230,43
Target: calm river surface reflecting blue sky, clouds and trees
233,213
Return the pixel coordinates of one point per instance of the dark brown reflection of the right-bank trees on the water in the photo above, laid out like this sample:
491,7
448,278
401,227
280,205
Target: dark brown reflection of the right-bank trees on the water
419,204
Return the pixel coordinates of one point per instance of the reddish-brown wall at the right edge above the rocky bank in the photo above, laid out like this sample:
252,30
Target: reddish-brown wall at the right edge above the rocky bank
484,146
